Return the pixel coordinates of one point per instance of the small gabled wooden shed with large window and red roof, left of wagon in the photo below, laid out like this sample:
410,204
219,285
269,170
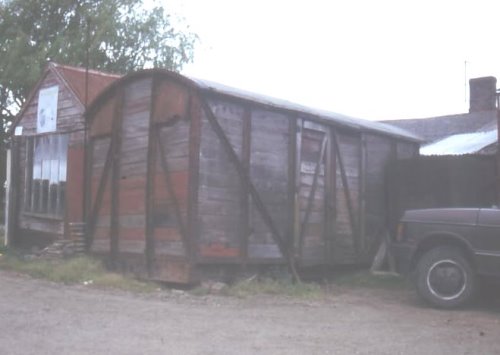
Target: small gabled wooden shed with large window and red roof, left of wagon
49,201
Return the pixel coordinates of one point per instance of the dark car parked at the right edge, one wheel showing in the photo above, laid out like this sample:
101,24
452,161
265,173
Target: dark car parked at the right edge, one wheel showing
447,250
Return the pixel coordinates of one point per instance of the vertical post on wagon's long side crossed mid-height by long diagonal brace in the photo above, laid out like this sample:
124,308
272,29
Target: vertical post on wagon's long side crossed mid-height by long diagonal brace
245,194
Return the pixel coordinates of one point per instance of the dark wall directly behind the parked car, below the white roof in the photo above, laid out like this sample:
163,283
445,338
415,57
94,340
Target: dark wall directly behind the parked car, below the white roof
441,181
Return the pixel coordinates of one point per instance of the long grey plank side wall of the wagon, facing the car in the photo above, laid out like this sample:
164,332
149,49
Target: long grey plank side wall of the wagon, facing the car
322,186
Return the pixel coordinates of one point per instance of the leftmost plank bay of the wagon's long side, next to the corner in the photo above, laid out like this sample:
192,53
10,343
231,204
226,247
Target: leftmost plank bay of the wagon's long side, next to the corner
220,212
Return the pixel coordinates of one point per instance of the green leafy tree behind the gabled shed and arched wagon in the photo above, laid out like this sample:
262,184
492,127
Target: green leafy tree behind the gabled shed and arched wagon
122,36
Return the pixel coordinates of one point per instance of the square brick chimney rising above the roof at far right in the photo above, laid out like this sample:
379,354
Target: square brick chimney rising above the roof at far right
483,94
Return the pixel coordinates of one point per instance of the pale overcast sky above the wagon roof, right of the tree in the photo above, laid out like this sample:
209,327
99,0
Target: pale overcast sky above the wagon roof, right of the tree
379,59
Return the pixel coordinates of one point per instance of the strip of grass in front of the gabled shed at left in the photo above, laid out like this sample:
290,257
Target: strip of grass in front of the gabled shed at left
78,270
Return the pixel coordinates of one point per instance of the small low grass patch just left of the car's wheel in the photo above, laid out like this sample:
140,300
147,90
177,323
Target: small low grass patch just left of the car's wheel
368,280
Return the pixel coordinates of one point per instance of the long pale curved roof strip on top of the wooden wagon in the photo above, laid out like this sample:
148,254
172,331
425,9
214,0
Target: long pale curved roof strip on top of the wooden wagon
352,122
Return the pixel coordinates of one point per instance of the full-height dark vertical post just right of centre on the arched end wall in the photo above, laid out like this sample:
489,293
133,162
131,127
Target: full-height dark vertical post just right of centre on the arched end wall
150,181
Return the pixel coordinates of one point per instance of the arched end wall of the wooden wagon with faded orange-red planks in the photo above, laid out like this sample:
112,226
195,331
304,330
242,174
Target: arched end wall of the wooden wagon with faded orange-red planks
146,215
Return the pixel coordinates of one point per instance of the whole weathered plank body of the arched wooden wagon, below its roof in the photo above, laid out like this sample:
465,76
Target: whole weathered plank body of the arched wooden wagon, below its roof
206,178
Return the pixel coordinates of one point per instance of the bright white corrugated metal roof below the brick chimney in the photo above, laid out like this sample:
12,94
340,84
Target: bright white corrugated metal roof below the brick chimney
459,144
